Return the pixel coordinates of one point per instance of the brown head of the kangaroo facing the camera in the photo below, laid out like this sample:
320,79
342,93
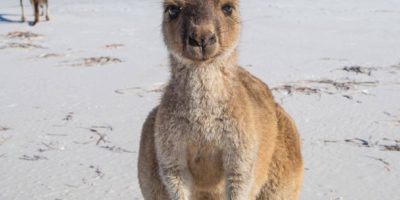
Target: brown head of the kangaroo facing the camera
201,30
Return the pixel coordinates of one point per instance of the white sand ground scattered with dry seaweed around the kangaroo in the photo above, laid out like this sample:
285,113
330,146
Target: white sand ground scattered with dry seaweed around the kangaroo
70,128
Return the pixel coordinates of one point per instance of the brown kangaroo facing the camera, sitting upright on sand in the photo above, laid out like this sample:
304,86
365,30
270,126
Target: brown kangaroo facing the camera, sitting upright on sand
217,133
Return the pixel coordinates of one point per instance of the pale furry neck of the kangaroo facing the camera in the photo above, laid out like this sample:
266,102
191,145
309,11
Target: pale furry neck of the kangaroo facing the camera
204,84
